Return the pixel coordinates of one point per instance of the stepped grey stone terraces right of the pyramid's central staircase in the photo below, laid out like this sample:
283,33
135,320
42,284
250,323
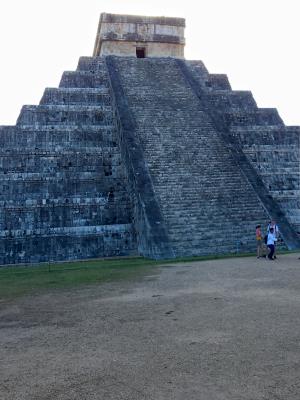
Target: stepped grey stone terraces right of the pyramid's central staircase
271,147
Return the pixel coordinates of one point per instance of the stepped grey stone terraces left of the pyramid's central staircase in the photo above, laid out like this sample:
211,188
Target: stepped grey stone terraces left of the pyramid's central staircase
64,191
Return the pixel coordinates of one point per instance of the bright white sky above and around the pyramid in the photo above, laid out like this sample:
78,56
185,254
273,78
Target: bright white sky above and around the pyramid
254,42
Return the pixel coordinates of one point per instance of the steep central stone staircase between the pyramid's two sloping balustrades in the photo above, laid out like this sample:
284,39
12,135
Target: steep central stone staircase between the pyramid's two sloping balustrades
207,203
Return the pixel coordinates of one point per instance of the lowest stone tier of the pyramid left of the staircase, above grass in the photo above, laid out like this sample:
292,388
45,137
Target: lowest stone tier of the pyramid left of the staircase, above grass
68,244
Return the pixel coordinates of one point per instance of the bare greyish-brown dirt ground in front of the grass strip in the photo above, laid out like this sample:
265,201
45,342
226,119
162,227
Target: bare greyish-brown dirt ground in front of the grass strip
214,330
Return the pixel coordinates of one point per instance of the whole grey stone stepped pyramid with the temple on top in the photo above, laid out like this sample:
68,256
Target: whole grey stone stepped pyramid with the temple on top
142,152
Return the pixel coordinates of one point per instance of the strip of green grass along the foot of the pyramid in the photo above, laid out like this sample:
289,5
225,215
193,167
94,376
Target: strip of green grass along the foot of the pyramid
22,280
